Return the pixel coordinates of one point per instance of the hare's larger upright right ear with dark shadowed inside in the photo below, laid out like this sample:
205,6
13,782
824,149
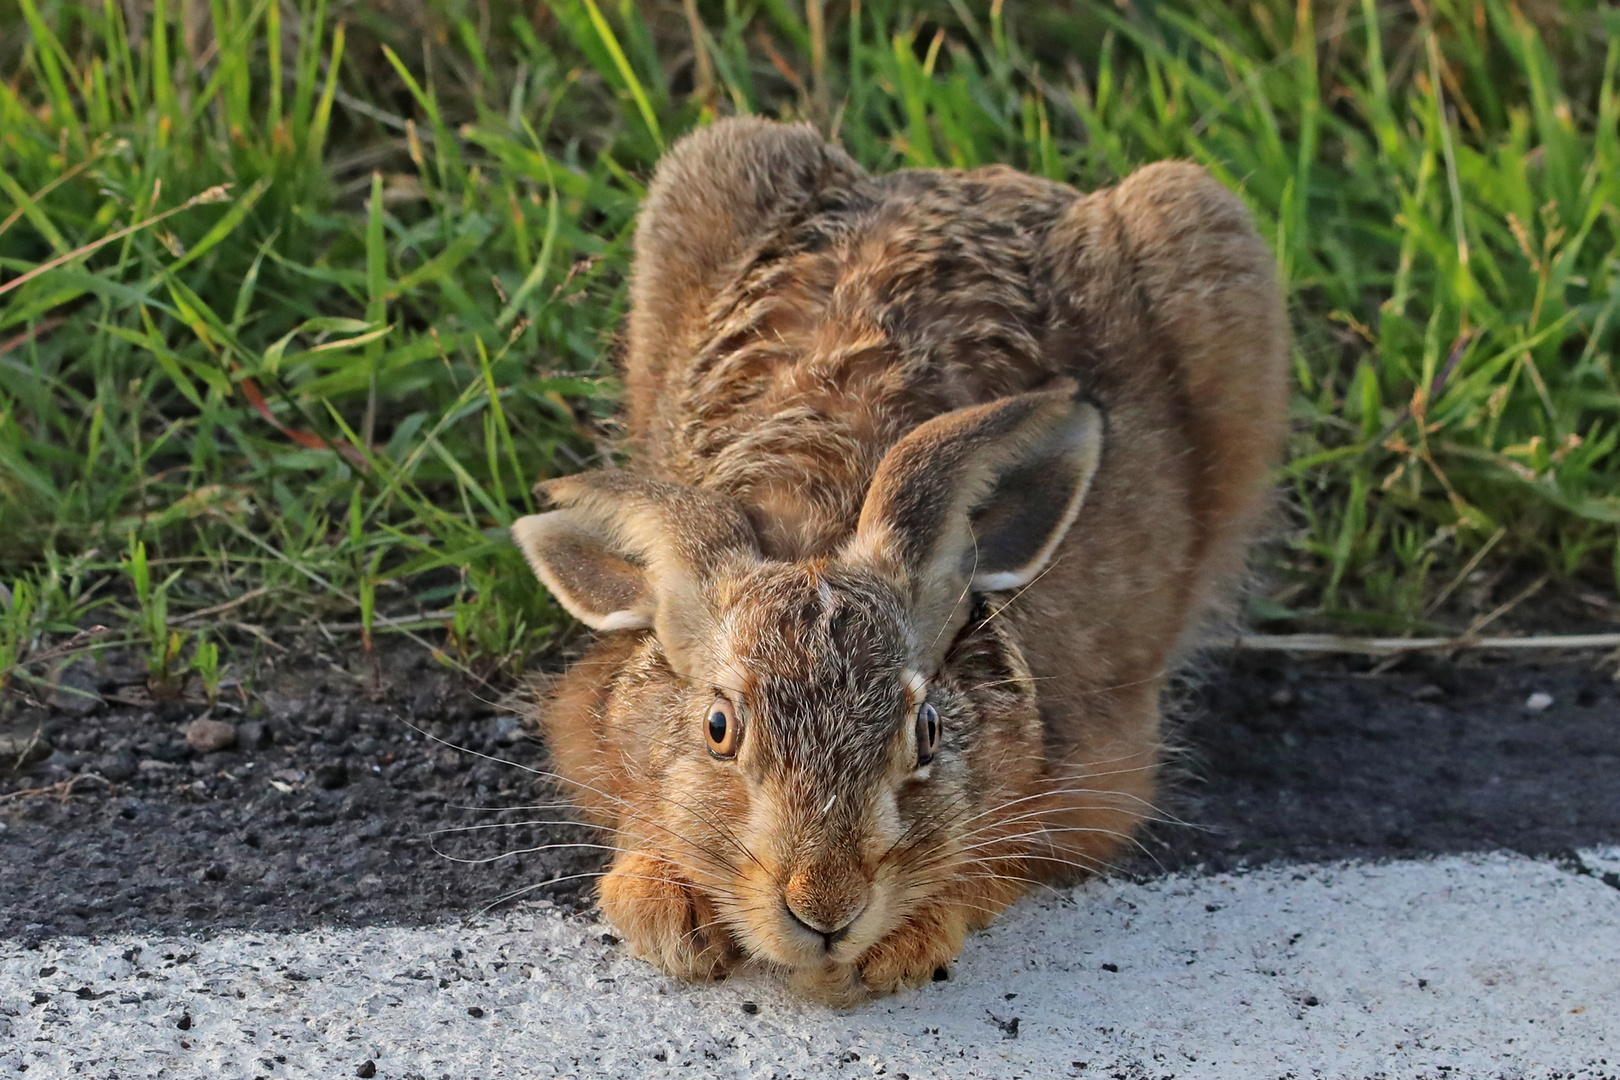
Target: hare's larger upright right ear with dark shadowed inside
978,501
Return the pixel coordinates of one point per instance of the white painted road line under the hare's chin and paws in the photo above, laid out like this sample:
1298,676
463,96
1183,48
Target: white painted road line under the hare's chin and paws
1462,967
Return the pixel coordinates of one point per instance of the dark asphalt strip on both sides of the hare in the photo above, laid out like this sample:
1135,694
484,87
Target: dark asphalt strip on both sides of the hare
326,810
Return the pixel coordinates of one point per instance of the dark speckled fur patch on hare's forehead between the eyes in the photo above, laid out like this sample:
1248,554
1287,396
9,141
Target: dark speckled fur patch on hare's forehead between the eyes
827,655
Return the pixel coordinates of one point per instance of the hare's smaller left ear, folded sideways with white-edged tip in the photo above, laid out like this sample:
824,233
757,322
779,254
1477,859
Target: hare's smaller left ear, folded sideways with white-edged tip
628,553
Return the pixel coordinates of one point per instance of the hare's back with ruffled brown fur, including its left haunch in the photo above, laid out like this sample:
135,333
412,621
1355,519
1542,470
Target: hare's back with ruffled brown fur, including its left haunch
795,317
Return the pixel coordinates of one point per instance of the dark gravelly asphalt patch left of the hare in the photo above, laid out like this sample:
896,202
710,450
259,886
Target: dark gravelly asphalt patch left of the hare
328,810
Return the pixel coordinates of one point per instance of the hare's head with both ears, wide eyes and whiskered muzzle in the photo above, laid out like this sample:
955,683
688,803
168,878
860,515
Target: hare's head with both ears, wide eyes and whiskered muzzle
821,746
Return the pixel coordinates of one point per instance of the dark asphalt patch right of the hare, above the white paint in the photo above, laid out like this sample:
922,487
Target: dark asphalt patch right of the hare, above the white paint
1308,762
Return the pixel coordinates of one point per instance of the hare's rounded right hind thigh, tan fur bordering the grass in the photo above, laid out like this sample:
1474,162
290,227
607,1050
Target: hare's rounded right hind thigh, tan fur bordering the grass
1174,260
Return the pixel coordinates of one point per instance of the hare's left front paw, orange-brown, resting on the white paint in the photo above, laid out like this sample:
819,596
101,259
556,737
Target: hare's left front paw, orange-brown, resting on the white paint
667,921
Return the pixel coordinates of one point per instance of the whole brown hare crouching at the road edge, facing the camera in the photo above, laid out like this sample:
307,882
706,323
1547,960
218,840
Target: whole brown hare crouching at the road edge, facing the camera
932,477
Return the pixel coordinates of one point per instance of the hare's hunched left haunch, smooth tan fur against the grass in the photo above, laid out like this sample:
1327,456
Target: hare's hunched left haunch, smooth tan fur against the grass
717,195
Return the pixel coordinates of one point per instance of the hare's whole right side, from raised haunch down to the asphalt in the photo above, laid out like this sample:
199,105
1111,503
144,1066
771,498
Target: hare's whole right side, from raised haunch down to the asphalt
1169,302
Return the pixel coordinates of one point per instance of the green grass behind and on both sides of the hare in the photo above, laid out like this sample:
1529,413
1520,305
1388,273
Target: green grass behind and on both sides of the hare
304,300
